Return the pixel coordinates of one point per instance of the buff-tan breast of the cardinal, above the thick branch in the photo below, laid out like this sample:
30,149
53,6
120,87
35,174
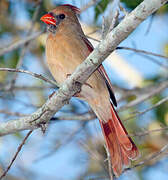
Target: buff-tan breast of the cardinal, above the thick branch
64,53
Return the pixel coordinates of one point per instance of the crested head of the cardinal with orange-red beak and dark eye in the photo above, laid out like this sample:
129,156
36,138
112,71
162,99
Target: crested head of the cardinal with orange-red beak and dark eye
63,13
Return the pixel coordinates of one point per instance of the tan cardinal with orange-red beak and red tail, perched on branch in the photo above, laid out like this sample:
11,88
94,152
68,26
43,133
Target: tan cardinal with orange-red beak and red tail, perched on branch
66,48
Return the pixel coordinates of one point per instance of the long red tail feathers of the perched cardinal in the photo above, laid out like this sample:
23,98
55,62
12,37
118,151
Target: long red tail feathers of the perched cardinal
120,145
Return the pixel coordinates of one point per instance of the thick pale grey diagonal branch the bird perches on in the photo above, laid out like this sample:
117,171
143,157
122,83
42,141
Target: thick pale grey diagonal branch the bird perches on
73,84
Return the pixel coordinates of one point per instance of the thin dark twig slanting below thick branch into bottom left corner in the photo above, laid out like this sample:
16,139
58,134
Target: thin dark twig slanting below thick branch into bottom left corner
16,154
